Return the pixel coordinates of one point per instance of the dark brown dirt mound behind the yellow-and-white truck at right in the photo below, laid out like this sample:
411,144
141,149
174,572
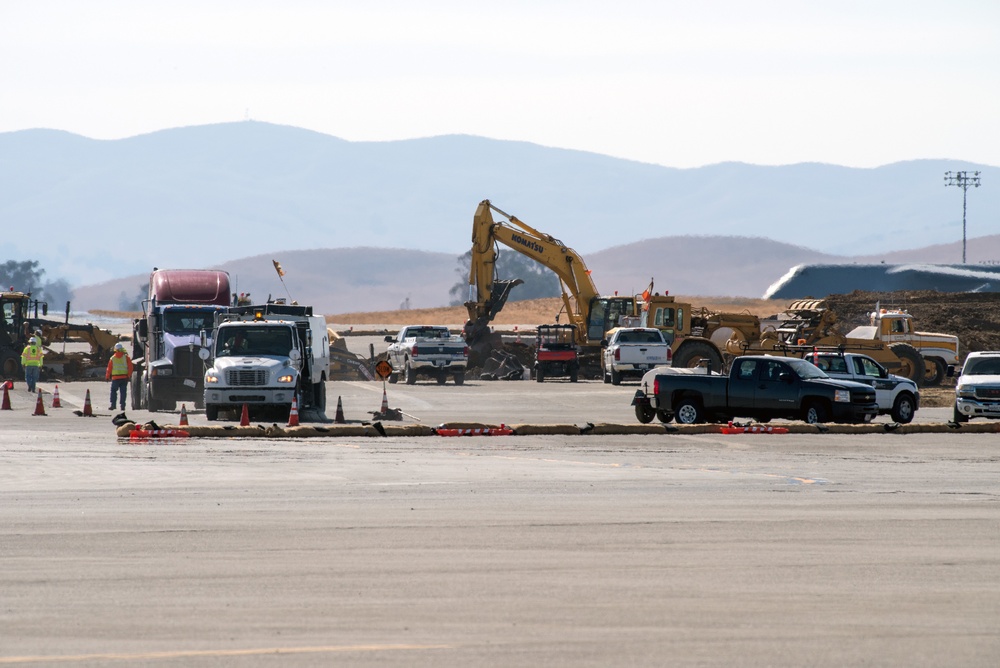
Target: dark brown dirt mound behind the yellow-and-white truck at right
974,317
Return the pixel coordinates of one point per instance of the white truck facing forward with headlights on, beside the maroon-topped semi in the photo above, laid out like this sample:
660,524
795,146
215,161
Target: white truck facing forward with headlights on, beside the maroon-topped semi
263,356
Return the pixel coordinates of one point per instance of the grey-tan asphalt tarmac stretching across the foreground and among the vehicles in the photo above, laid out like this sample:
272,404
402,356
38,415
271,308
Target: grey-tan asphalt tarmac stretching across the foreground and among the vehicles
751,550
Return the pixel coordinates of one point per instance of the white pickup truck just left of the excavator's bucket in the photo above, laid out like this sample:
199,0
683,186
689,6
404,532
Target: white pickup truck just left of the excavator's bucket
427,350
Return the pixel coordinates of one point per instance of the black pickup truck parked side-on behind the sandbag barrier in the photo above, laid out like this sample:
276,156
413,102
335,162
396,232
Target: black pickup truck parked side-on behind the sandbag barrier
759,387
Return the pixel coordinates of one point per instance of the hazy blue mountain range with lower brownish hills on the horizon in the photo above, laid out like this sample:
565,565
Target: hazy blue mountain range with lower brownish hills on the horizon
224,195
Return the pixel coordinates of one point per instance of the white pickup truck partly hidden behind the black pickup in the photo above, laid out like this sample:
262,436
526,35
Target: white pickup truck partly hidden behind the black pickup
896,396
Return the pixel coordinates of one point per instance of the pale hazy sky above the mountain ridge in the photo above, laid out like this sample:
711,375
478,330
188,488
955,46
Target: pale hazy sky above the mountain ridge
681,84
